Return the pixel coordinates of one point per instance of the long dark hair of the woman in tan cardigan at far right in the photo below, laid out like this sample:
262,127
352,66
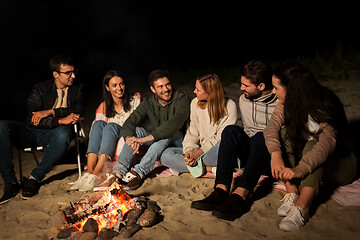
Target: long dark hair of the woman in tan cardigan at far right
305,96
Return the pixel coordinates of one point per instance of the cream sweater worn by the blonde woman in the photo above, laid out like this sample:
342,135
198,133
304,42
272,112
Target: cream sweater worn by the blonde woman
200,133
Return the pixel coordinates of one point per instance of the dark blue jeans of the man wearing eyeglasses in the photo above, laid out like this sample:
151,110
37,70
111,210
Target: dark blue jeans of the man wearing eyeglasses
22,135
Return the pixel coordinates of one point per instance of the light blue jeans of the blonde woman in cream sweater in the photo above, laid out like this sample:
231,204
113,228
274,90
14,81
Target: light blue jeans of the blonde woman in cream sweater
173,158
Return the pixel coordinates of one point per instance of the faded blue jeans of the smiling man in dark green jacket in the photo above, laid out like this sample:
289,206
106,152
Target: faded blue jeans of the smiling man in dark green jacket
147,162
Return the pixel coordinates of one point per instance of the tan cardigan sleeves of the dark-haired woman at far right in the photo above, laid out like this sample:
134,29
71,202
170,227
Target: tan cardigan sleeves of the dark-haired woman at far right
325,146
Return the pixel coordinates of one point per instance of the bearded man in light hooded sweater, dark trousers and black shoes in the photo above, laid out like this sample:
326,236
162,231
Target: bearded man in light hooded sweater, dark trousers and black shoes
256,104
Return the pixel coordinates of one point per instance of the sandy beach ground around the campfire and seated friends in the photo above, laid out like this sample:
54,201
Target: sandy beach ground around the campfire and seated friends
26,219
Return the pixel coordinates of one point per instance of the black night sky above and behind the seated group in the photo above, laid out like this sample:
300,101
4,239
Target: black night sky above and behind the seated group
139,36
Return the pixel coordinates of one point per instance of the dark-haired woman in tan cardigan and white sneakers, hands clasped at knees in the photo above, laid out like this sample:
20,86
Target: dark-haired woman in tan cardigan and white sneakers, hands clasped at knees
305,137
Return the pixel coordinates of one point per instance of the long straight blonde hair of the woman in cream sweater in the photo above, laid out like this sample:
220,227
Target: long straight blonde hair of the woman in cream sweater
216,102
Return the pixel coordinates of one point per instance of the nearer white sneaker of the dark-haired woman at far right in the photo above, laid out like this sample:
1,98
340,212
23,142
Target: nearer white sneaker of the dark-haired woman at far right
295,219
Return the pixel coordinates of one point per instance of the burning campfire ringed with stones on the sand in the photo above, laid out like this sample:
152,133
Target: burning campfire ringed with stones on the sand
113,213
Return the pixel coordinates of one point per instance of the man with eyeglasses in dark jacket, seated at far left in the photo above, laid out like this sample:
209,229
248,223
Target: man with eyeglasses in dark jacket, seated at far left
53,107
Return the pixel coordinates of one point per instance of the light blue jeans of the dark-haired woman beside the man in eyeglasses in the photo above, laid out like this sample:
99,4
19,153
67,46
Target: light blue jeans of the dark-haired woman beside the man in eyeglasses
103,138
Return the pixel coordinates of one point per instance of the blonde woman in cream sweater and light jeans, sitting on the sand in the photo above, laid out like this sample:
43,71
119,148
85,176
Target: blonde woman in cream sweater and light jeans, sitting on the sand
210,113
